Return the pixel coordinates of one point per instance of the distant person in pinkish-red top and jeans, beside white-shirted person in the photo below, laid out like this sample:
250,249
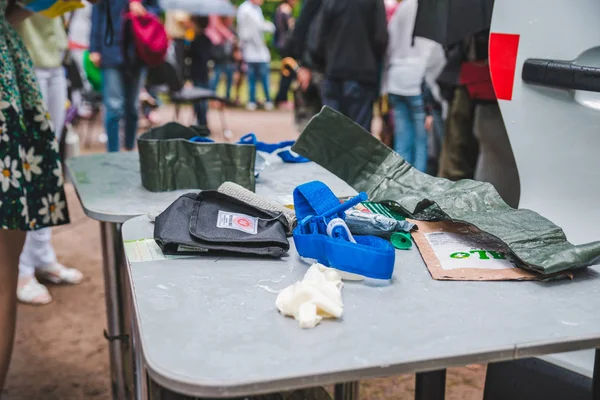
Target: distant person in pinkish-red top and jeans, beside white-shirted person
221,34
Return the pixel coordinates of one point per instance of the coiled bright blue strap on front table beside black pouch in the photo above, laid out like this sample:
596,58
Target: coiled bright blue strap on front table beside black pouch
316,206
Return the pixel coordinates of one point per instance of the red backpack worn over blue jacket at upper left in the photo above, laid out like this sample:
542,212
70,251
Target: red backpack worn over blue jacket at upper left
150,38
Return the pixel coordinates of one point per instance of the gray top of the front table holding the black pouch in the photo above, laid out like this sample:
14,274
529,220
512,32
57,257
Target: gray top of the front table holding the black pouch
209,326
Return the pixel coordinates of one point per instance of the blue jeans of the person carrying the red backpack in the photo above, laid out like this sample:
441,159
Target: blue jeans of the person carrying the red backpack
121,91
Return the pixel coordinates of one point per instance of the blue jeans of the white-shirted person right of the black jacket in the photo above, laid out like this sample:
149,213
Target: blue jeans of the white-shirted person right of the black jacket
410,136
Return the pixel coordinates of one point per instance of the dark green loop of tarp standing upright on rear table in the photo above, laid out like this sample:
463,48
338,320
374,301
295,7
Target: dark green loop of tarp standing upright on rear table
169,161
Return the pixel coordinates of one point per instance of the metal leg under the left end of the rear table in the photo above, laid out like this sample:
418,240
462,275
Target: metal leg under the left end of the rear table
110,236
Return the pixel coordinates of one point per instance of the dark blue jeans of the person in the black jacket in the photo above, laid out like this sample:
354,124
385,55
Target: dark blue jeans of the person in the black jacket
353,99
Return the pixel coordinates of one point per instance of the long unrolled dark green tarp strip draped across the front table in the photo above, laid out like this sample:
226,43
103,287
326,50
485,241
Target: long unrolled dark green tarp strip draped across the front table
348,151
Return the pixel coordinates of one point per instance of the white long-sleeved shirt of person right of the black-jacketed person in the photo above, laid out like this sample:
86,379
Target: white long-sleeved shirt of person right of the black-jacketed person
408,63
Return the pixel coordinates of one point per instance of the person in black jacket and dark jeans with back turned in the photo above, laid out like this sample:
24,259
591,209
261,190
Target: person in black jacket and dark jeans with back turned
351,42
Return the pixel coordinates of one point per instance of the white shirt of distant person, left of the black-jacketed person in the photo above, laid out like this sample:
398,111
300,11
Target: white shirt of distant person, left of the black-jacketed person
251,28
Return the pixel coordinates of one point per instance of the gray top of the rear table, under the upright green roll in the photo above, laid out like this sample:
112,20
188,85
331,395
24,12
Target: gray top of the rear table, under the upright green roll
110,189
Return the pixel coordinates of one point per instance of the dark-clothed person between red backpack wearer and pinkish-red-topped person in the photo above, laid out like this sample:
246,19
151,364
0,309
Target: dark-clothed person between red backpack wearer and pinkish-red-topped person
200,53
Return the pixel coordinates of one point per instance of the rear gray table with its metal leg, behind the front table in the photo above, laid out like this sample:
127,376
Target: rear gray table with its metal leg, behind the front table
110,191
